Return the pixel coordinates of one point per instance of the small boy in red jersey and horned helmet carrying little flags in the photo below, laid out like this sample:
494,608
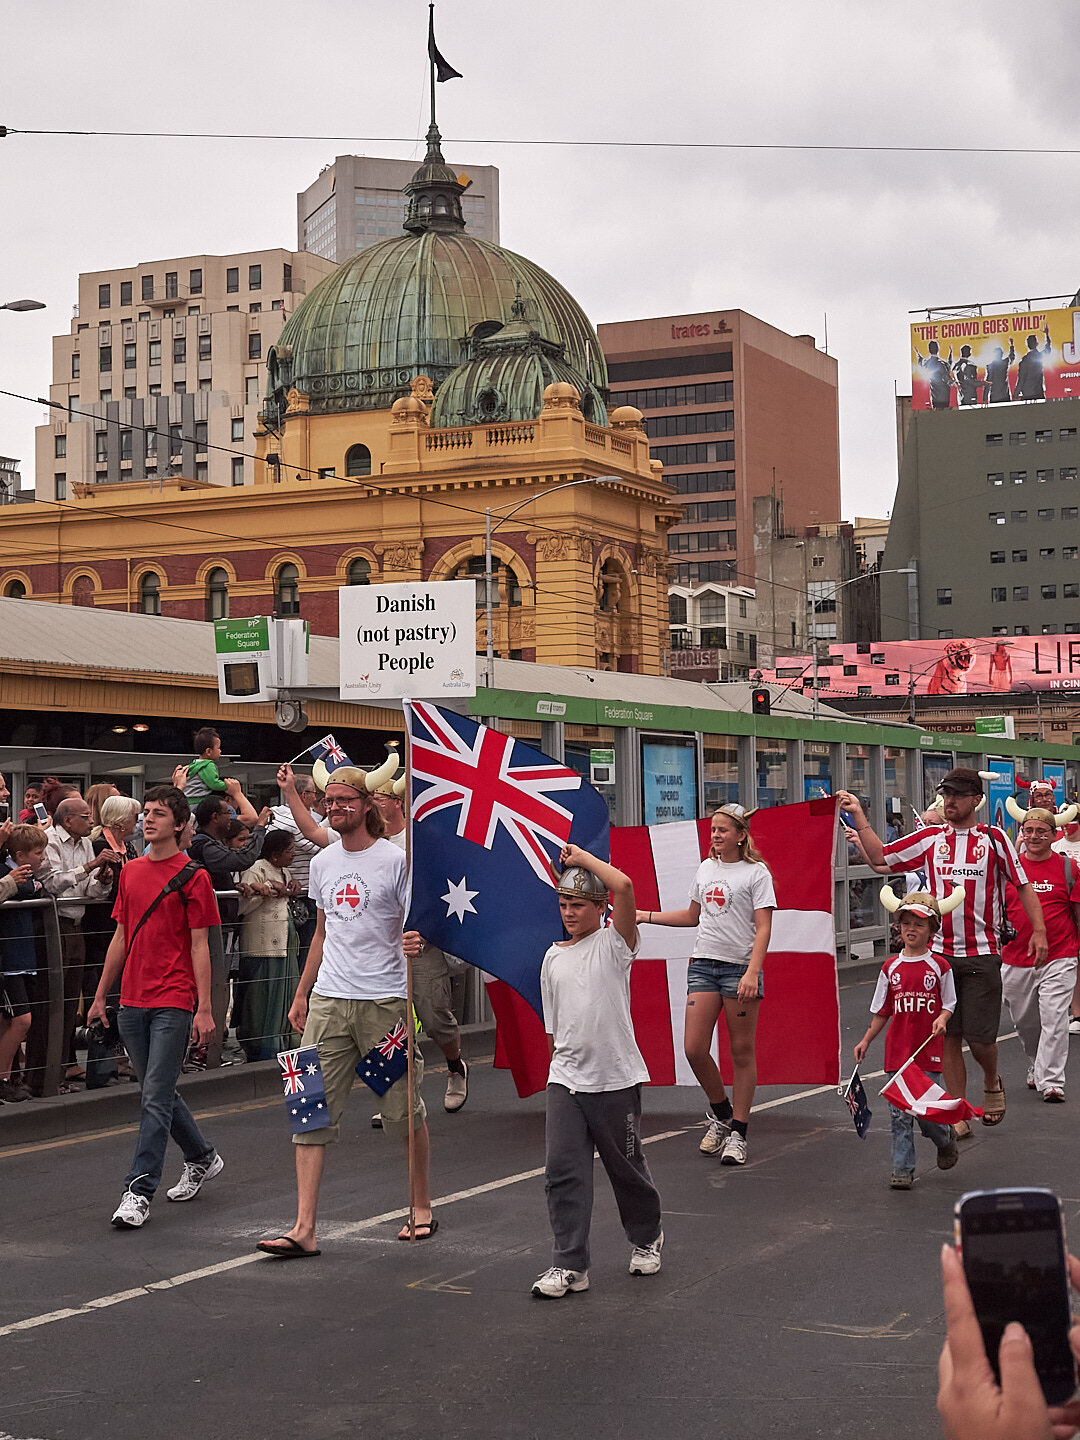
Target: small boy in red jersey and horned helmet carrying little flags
917,991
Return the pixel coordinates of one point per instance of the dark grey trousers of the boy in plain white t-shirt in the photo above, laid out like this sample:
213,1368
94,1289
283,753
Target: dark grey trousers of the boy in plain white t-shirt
611,1121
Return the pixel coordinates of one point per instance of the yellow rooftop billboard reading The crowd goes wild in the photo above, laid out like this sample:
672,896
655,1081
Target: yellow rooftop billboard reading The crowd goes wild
1020,355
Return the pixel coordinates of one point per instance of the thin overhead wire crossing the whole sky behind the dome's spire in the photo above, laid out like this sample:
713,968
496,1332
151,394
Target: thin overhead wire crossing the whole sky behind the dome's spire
591,145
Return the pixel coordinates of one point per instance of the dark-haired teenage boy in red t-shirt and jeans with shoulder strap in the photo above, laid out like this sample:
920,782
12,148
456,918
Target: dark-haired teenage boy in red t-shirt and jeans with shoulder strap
166,964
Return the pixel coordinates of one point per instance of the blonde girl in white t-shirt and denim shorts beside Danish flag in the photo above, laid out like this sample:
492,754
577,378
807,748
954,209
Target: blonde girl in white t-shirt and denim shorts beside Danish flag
731,902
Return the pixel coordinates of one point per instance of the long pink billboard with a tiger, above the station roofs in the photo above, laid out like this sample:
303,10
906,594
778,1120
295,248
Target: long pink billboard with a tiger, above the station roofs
938,667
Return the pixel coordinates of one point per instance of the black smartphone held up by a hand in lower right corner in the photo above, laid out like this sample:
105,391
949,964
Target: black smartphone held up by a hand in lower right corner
1013,1245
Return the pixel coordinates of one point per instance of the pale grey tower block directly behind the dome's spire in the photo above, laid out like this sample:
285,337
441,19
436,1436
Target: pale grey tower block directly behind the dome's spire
359,201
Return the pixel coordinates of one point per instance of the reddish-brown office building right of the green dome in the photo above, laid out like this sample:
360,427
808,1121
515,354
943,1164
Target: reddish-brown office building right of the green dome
735,410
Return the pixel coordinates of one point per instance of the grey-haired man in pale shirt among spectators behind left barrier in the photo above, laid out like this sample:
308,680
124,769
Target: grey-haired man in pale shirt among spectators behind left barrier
74,872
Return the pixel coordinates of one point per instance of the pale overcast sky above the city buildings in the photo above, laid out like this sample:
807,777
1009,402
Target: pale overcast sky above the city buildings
788,235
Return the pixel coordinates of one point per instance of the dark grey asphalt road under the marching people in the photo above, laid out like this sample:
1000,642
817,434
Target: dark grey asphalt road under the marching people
798,1297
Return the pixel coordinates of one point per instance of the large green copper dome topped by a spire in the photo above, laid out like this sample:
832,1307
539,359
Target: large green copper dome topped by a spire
420,305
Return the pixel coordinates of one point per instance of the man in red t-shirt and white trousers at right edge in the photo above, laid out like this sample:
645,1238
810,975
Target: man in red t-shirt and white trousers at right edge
1039,993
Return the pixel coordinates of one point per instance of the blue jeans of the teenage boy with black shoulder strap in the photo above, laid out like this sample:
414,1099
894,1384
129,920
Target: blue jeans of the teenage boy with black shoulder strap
156,1042
